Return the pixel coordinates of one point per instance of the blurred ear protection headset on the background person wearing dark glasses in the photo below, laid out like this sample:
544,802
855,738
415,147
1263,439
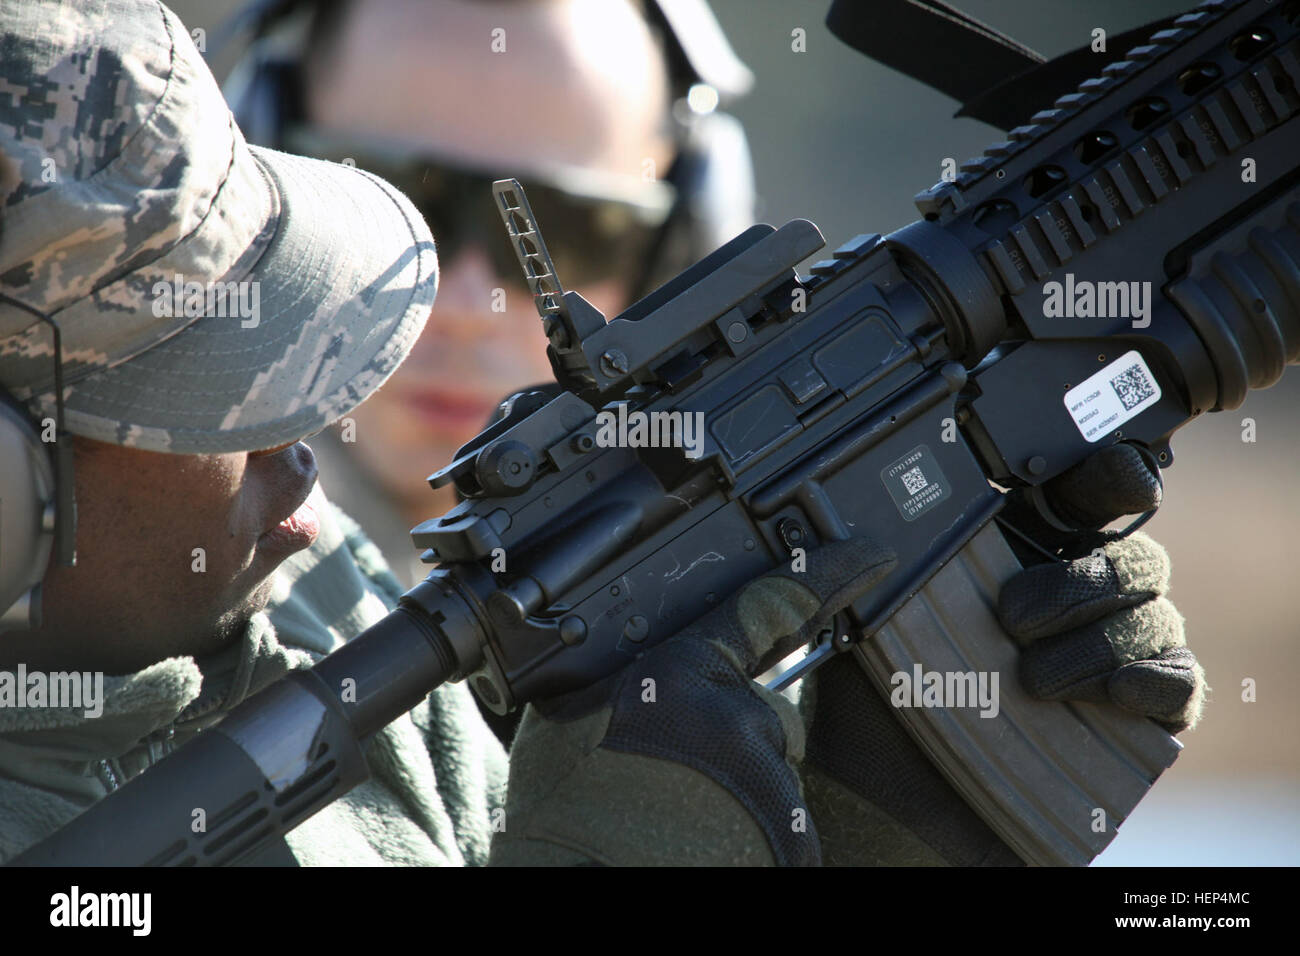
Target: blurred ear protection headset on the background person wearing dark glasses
712,175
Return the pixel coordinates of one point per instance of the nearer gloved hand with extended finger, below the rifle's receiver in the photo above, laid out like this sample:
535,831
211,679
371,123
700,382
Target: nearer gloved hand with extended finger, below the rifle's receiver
682,758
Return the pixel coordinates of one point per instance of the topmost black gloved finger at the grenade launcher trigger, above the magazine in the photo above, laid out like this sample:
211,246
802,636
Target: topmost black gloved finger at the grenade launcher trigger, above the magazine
1112,483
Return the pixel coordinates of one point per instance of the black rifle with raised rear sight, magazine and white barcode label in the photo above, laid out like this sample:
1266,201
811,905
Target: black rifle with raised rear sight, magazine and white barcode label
883,392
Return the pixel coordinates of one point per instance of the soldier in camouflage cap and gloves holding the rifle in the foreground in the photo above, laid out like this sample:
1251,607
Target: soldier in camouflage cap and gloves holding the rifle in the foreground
193,486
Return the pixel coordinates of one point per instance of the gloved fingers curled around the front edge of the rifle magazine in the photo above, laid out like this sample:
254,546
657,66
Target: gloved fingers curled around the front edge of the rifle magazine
1100,628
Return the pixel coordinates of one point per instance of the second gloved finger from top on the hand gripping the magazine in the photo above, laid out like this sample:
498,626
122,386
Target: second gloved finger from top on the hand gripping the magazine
1056,598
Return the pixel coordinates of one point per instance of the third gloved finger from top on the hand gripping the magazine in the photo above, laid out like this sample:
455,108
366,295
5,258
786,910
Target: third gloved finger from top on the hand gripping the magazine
1078,665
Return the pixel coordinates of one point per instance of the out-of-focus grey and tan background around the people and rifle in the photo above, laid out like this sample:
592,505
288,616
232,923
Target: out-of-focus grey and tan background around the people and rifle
848,144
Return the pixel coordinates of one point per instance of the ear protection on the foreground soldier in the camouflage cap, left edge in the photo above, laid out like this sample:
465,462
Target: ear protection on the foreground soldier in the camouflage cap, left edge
38,511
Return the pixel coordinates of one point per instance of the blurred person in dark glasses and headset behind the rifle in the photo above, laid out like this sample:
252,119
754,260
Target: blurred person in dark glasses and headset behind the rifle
605,110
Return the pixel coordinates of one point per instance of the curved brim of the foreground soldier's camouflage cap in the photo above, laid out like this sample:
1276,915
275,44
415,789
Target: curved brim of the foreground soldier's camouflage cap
333,306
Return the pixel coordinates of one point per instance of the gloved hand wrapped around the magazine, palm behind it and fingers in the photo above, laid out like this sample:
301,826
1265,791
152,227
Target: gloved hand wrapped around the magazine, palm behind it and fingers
1099,626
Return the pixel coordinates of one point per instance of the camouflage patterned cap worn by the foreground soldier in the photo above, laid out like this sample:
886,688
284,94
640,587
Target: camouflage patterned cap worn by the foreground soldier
213,296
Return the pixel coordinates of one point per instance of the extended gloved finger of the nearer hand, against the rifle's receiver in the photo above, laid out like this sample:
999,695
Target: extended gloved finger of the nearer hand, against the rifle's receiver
773,616
